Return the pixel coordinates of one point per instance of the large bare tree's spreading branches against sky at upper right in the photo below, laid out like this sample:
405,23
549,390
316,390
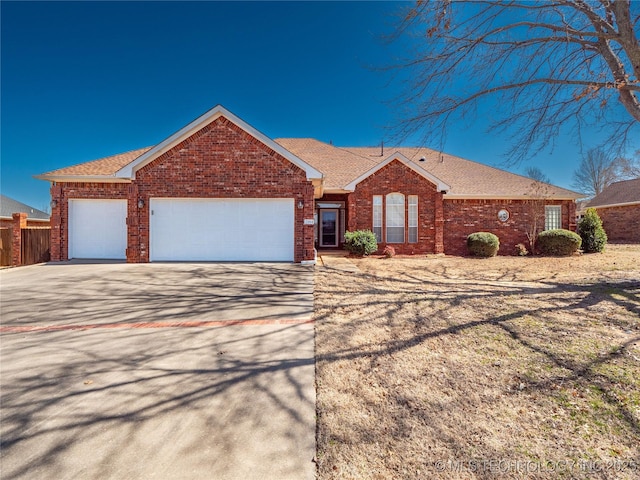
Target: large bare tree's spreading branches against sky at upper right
546,65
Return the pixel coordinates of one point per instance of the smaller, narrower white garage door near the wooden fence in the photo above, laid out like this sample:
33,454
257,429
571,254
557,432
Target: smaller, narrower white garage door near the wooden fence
97,229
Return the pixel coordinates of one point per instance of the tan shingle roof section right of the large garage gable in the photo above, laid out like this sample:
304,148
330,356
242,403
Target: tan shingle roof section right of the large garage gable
341,165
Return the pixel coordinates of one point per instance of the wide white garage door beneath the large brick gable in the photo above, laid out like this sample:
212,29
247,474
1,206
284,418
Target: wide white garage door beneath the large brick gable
222,229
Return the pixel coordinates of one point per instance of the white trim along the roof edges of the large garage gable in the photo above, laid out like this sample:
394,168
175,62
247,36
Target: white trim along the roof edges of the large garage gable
216,112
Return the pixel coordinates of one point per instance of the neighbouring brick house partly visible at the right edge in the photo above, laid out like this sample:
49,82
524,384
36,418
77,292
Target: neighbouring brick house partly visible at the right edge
618,206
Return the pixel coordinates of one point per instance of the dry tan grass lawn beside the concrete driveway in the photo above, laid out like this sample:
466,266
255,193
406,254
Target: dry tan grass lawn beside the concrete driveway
447,367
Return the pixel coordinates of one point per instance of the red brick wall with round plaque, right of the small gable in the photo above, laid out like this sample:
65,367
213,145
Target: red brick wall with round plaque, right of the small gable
463,217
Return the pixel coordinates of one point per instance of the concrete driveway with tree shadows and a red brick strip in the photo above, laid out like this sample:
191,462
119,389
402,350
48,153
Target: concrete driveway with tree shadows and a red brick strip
168,371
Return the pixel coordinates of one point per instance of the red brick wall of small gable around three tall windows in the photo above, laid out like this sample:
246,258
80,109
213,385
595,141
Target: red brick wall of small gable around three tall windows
396,177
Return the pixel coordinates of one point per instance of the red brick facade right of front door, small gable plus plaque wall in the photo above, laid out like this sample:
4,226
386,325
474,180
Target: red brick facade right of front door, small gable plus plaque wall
444,224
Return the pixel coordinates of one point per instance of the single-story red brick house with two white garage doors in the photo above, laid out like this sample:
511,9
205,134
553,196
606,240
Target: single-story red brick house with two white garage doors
218,189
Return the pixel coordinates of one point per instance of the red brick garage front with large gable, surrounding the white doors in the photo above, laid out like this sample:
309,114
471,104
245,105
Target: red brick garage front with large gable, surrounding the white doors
219,161
